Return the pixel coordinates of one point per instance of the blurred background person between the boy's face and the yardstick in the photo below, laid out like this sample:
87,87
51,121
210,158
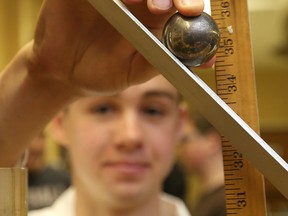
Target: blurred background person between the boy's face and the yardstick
201,157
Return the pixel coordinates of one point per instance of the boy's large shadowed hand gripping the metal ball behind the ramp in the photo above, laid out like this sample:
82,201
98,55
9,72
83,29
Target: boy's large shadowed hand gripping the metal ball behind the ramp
78,48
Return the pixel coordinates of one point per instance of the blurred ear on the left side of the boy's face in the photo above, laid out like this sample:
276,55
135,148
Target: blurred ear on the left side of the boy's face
57,126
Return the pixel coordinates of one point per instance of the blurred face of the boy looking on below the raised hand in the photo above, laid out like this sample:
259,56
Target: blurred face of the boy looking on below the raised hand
122,146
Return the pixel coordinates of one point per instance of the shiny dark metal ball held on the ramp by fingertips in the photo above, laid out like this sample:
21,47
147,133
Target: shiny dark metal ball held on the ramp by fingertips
193,40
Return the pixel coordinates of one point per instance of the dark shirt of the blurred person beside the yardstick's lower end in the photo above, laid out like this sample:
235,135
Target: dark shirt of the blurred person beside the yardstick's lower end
211,204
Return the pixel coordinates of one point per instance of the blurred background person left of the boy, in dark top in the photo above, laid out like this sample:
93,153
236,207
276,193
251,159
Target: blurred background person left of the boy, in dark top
45,183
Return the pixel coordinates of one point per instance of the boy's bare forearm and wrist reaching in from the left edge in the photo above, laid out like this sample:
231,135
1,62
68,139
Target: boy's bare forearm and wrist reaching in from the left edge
26,105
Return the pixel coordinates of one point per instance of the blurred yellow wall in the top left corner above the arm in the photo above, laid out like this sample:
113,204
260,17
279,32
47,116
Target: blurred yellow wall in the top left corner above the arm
17,21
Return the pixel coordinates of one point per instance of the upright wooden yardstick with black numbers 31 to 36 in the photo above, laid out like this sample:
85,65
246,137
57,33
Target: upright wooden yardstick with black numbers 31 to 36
235,84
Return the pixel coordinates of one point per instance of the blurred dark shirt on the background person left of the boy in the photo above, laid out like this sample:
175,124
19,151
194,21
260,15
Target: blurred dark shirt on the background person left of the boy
44,187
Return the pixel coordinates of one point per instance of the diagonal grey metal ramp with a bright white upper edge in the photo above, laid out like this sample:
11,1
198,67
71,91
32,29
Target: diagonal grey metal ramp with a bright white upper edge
248,142
